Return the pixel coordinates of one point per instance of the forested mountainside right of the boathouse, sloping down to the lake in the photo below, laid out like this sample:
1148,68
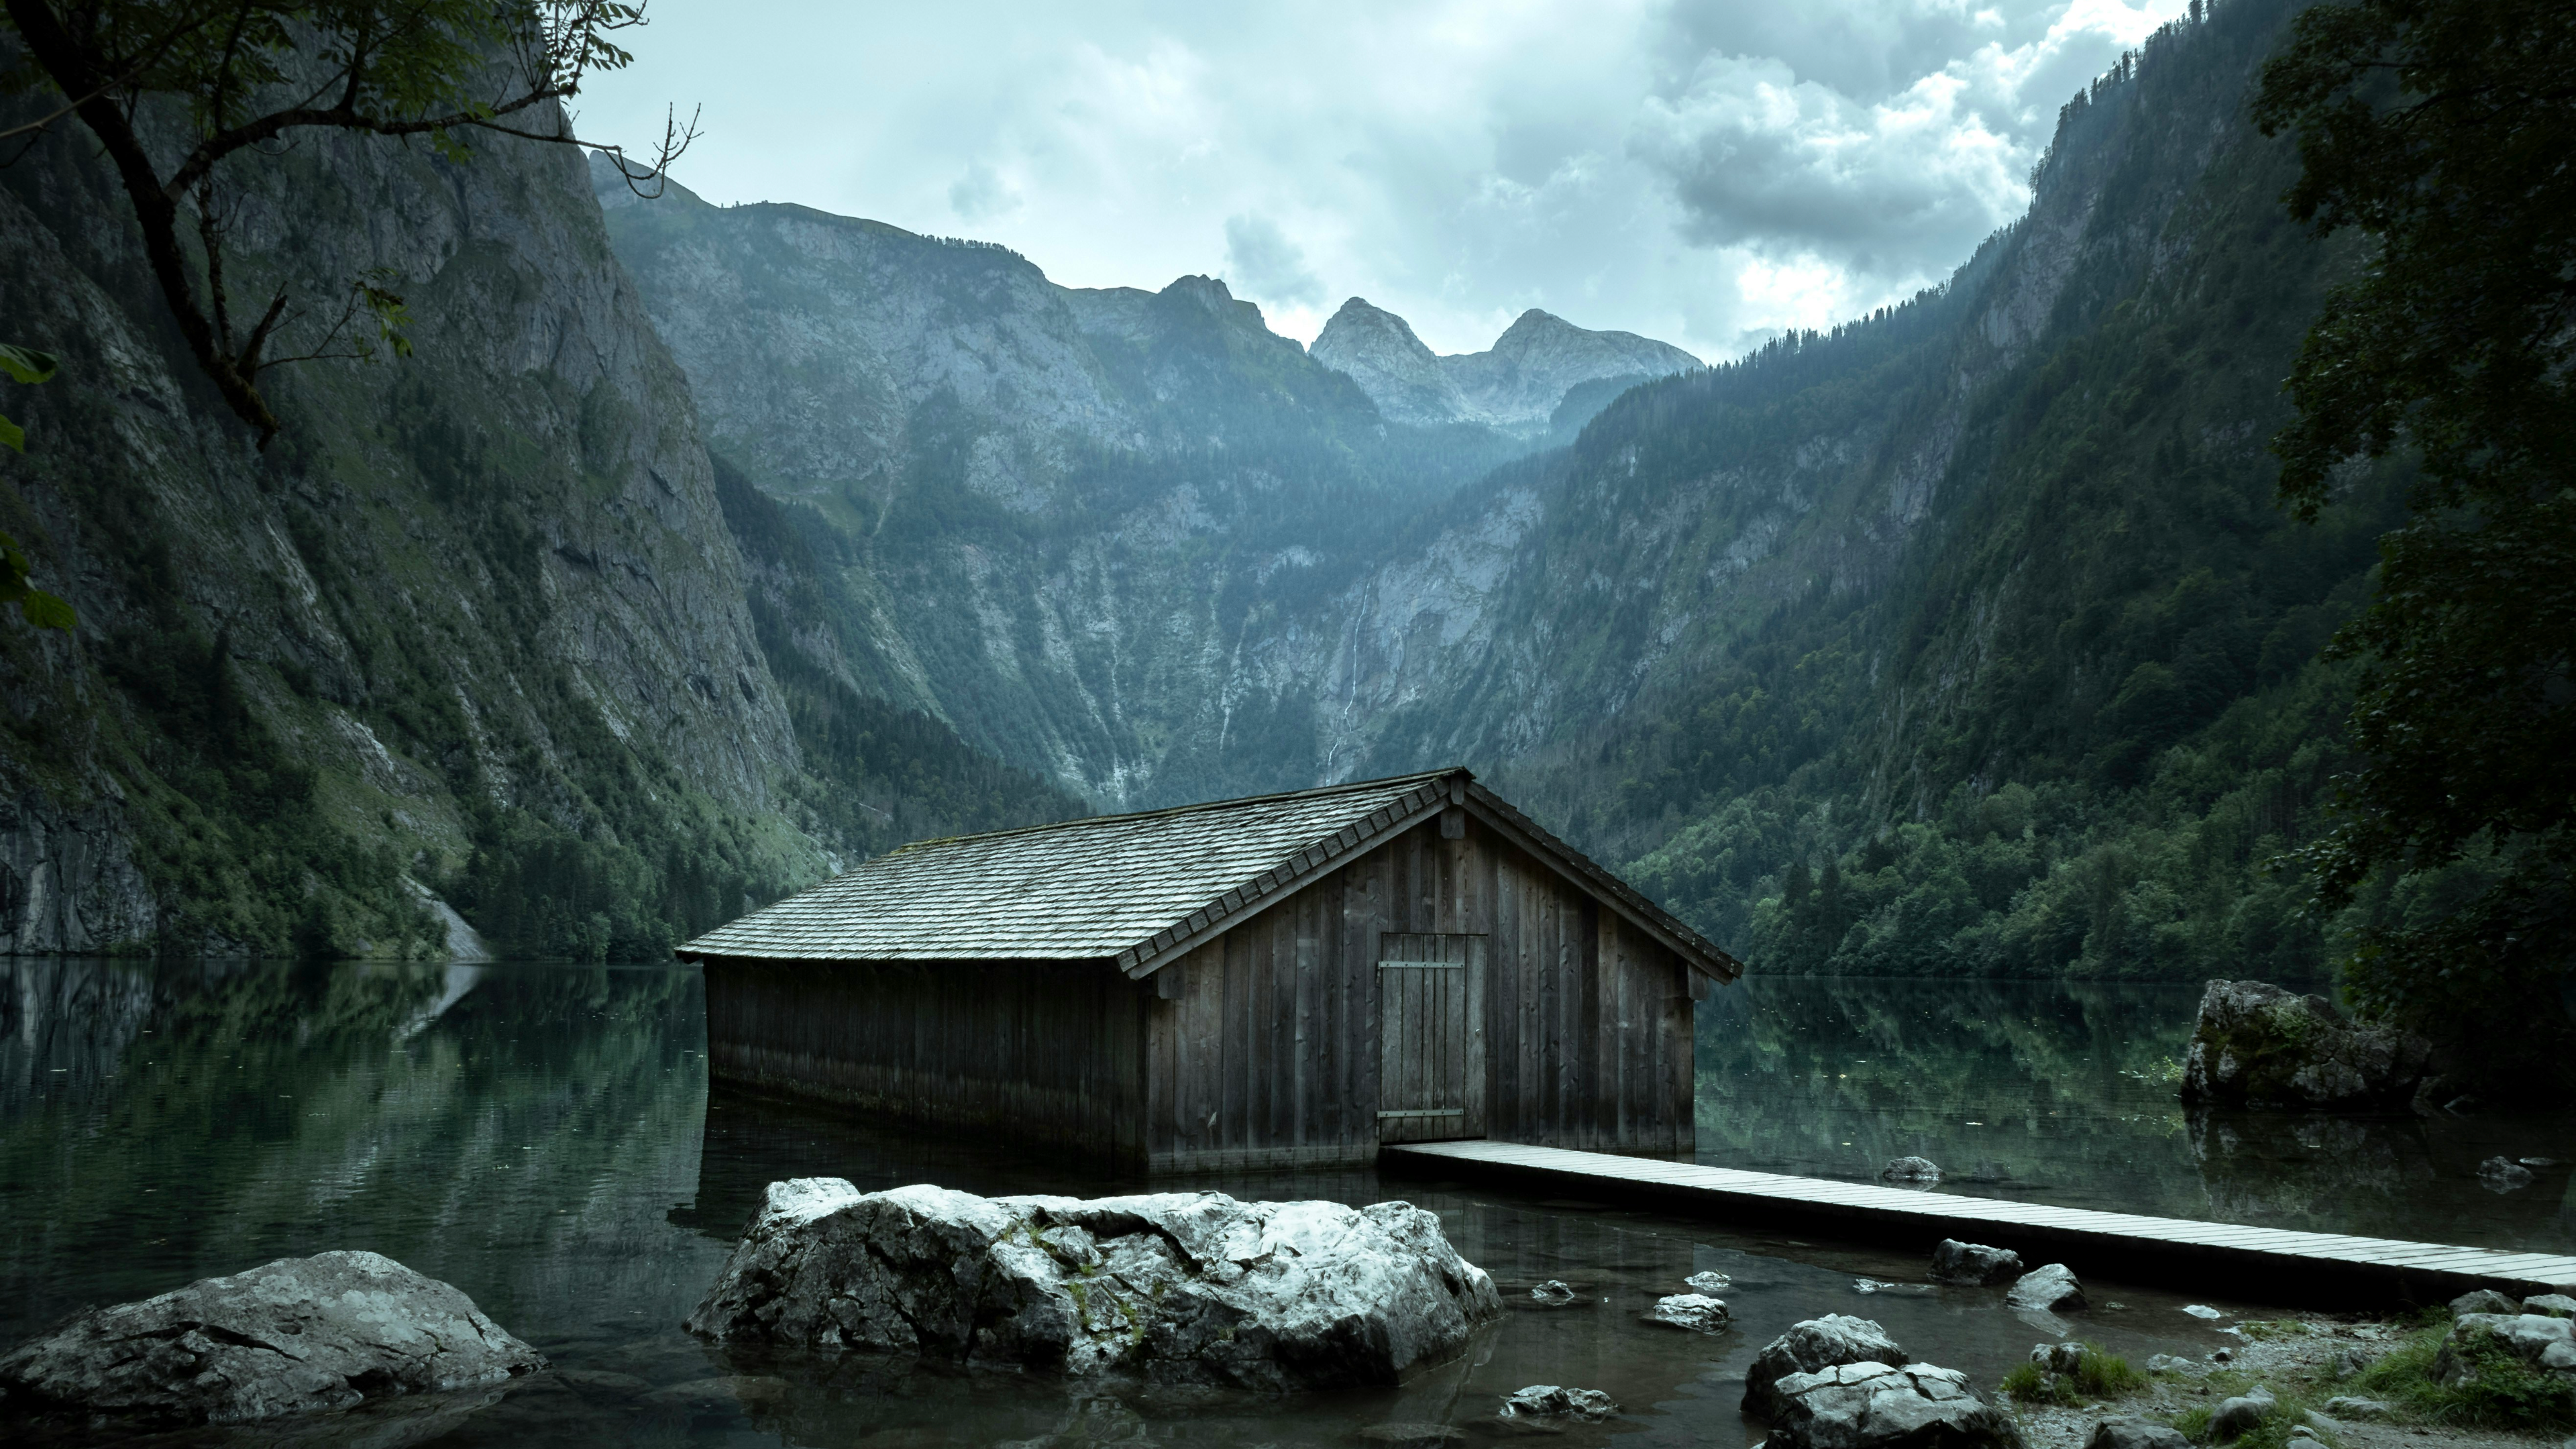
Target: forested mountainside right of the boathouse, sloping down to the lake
2031,685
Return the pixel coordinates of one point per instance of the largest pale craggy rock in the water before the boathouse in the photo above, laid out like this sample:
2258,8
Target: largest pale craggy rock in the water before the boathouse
1176,1288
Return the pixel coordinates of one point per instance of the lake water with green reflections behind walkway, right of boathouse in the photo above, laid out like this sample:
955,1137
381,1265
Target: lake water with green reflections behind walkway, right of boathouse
2062,1092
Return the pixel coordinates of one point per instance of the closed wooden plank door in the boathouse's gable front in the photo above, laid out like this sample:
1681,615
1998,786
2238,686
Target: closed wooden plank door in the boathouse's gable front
1431,1038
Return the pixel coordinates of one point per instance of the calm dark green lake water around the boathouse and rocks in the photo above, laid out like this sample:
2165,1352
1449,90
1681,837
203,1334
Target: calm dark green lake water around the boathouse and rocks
547,1141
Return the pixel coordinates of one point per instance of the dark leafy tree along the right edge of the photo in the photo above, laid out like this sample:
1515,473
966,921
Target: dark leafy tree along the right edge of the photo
2441,133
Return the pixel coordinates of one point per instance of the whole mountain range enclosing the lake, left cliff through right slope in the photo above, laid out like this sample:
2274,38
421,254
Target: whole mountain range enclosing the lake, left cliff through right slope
702,545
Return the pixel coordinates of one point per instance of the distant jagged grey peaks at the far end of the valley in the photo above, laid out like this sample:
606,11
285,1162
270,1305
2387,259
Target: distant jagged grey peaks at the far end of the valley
1521,385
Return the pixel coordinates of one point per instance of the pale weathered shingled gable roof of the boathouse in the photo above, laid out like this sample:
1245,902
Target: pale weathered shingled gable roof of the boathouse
1137,891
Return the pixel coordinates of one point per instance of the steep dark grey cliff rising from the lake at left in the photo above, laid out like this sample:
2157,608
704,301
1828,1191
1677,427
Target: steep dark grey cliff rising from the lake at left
473,625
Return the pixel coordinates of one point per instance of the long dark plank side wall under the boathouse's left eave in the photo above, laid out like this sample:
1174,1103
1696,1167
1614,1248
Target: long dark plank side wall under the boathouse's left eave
1037,1051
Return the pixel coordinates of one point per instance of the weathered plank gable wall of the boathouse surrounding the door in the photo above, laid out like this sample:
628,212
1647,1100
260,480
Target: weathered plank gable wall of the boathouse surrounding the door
1269,1051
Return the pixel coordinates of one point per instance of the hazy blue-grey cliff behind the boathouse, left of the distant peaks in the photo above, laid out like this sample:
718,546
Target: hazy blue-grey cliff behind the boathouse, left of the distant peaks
1057,520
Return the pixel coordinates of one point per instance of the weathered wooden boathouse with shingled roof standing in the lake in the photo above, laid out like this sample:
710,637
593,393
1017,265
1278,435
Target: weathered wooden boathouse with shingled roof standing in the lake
1251,984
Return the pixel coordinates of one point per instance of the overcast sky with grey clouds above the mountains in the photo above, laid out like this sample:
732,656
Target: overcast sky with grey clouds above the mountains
1701,171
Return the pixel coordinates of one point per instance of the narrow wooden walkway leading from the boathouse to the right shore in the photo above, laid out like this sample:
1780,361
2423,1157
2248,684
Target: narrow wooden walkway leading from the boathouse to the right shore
2168,1252
